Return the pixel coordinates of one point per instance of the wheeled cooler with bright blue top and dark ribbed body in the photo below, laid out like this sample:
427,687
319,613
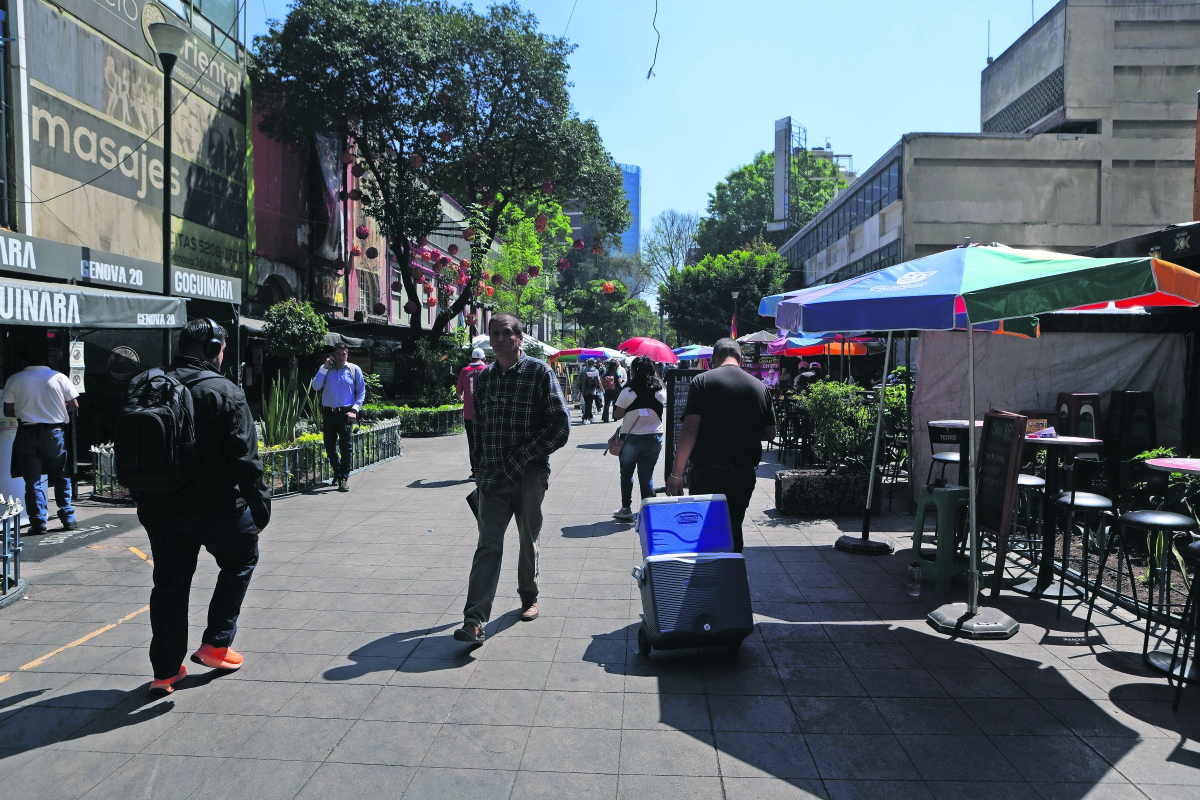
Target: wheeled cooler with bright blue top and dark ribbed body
694,586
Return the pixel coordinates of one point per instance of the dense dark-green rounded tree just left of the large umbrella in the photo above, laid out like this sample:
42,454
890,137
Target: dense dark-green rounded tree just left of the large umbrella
698,298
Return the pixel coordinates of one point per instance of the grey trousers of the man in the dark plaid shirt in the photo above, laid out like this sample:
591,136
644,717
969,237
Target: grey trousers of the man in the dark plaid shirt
496,510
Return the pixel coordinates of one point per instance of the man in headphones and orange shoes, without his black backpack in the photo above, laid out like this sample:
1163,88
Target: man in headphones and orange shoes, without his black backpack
224,510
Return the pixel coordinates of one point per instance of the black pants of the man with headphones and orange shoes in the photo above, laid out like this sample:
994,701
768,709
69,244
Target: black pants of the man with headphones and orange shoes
176,544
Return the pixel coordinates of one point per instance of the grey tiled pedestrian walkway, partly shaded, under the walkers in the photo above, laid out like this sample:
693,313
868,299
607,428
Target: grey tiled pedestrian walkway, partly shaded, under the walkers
353,687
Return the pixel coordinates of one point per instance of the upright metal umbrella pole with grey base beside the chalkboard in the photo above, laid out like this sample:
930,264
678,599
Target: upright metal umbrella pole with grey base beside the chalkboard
970,621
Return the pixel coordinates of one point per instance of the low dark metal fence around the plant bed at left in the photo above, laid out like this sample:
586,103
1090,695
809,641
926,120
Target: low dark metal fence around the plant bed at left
289,471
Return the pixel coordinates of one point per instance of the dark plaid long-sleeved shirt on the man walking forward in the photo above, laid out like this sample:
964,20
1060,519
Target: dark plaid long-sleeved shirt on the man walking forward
520,419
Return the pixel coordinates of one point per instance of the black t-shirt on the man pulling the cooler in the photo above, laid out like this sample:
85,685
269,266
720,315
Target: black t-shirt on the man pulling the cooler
734,407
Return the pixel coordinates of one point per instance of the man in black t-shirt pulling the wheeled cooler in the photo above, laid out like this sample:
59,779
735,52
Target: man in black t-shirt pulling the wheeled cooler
728,417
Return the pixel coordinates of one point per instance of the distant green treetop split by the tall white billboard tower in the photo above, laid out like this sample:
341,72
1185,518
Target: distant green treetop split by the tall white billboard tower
742,206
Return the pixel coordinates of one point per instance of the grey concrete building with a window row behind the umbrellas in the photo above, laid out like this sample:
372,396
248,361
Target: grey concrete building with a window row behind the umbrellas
1088,136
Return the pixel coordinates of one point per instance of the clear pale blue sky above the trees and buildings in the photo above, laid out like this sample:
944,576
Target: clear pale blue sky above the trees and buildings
861,73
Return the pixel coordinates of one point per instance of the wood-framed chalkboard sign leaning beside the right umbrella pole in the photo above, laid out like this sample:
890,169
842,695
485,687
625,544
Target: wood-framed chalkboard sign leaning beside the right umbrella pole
999,464
